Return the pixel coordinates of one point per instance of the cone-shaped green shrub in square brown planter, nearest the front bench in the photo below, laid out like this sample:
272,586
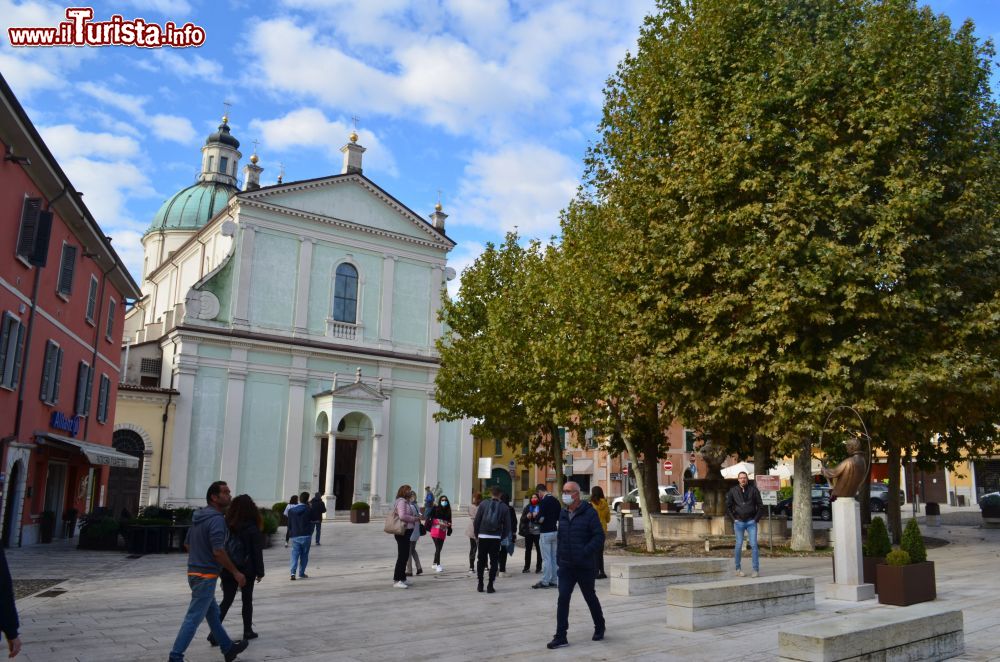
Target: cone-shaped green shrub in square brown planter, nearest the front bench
907,577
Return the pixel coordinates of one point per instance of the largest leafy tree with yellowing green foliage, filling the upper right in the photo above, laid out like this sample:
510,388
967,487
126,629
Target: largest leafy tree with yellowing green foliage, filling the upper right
806,193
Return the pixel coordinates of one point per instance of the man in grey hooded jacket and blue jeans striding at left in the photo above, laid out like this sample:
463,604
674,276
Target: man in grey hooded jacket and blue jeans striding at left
207,556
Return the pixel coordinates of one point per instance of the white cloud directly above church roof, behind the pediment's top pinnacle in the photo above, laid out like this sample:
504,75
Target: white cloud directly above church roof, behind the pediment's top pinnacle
310,129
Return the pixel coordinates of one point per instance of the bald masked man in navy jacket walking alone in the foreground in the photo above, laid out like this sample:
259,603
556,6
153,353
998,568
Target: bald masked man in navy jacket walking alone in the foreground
580,536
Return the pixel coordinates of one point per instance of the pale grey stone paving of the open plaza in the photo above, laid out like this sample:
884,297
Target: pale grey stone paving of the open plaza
115,608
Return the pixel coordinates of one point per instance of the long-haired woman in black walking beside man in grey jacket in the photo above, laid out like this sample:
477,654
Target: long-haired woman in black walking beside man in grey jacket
246,550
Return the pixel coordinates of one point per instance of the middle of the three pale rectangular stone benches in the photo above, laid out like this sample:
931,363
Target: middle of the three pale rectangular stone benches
740,600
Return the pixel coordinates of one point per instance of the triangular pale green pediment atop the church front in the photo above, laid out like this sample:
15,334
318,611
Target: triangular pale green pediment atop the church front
351,201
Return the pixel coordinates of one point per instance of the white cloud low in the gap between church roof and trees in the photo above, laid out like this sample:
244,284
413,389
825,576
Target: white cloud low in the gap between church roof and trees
524,186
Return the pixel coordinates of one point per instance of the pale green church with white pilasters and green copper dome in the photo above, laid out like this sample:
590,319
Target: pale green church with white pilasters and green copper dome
296,324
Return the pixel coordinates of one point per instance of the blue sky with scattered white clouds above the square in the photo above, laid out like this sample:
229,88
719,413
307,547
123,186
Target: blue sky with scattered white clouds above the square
488,106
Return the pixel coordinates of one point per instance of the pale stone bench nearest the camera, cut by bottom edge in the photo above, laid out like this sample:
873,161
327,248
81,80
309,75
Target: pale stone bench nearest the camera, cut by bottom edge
920,632
